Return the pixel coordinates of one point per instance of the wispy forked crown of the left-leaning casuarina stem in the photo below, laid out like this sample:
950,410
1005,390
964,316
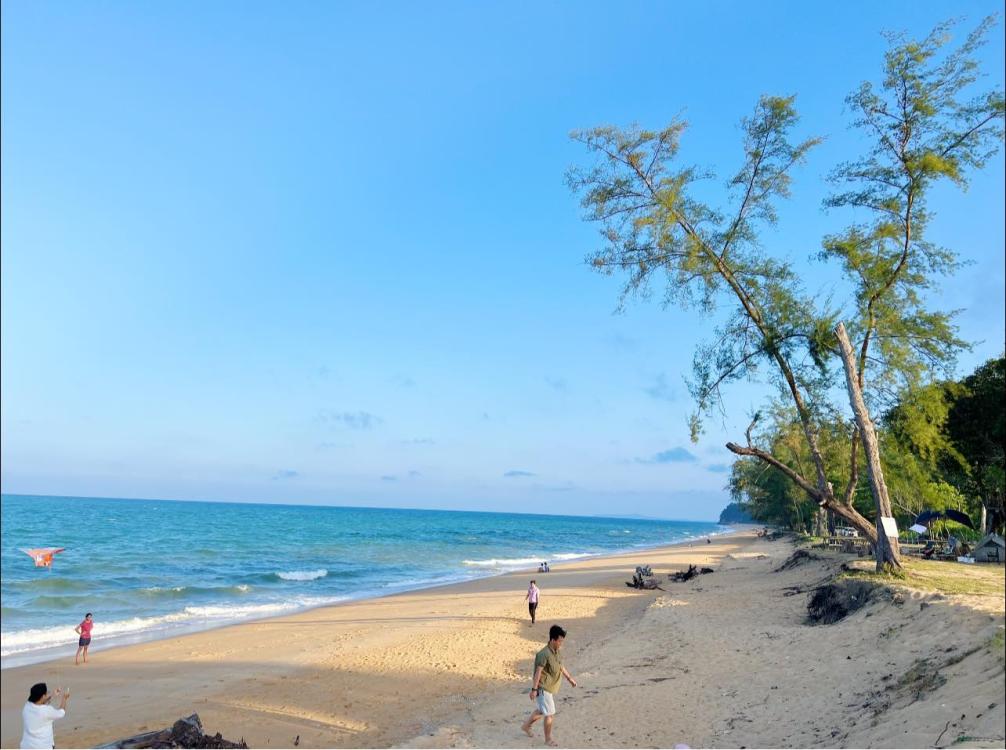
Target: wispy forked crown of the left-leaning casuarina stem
653,227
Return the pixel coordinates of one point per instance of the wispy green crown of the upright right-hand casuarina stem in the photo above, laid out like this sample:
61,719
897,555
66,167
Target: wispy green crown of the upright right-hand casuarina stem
927,126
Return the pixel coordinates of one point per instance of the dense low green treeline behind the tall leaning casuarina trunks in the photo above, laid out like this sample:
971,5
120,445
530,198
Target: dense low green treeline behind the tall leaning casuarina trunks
942,449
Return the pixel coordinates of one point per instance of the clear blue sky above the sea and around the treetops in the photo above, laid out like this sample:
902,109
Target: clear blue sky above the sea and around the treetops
323,253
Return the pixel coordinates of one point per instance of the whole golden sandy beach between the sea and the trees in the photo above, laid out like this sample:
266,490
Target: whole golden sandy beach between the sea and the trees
723,661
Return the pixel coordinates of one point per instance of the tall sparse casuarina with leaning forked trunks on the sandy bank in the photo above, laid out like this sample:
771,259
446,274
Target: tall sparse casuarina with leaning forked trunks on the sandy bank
655,227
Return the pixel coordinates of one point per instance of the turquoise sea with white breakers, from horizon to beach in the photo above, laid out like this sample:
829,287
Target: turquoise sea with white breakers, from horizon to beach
151,570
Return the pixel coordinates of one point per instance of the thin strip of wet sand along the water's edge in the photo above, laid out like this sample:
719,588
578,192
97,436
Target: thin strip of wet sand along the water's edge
53,654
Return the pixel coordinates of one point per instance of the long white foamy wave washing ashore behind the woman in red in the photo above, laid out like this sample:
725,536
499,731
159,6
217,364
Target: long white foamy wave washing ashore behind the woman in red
190,619
